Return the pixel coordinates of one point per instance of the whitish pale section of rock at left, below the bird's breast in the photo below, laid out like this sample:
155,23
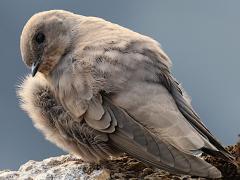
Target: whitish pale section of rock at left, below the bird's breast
64,167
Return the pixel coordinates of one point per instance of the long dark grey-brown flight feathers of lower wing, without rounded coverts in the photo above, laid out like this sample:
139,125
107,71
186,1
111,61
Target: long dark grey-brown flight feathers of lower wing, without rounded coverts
152,150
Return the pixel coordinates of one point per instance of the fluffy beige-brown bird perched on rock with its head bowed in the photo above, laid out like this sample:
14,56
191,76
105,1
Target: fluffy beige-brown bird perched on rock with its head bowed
98,90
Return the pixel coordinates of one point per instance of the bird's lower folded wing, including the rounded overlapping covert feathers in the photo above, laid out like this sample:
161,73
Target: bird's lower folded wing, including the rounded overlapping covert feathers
128,135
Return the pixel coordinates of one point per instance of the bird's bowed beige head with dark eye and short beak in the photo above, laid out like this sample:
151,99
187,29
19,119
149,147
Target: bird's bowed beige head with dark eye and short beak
45,39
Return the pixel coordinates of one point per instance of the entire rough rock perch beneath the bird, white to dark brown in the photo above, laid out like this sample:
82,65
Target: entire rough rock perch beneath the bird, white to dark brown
67,167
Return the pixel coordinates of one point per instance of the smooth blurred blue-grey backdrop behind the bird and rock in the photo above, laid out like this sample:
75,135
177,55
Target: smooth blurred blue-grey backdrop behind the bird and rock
201,37
